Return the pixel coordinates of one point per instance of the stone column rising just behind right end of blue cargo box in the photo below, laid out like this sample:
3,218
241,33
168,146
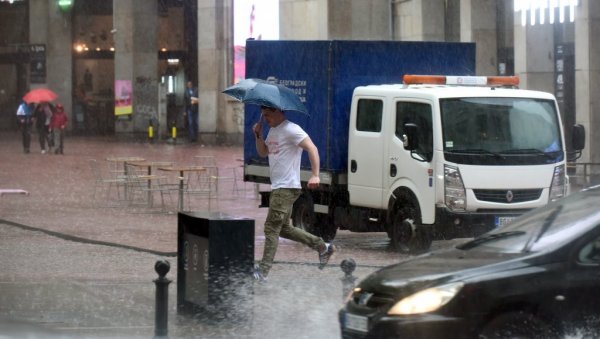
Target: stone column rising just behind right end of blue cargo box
478,25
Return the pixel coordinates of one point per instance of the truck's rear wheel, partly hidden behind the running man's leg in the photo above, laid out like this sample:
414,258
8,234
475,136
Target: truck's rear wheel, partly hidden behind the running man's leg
304,217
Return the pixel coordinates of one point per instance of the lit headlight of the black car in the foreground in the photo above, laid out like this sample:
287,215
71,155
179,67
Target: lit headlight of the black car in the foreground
427,300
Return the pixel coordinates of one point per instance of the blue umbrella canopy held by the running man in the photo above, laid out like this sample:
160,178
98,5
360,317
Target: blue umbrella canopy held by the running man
263,93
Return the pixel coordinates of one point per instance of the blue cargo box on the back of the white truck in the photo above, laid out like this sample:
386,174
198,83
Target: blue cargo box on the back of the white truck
324,75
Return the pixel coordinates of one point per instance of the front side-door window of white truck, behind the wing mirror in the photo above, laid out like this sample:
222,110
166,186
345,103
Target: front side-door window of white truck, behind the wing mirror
420,115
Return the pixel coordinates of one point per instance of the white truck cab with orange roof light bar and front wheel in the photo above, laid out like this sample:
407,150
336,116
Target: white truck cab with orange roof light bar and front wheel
454,156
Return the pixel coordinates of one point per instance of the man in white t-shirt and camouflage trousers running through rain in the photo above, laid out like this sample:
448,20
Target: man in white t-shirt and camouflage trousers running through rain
284,145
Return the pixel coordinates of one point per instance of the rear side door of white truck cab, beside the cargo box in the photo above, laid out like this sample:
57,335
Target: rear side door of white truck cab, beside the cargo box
366,152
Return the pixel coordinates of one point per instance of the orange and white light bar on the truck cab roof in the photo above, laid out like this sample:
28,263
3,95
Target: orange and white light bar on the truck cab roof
412,79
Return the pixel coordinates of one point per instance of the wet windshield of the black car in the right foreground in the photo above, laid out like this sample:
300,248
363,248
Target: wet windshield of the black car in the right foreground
552,225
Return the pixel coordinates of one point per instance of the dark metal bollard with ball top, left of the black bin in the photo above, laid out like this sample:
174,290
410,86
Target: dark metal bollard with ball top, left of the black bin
161,326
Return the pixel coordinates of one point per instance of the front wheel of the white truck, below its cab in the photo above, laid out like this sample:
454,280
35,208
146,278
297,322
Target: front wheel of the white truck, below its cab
407,235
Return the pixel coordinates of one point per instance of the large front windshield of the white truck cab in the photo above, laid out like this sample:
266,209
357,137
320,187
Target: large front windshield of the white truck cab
501,131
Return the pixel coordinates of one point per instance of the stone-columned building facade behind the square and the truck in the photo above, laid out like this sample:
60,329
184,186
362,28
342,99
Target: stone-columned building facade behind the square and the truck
158,45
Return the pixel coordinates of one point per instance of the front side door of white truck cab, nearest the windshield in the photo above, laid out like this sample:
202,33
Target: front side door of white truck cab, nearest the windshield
413,170
